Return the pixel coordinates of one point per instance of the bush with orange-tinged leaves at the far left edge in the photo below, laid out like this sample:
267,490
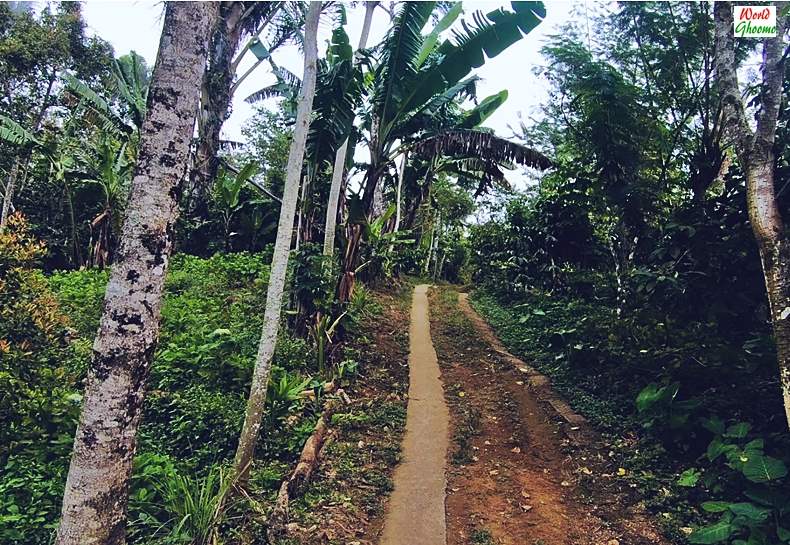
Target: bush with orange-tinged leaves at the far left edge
39,399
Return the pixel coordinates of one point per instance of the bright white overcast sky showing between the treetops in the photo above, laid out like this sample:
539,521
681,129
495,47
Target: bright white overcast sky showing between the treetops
136,25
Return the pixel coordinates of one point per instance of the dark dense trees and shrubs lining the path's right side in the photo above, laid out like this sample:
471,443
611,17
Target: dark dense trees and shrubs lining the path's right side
630,275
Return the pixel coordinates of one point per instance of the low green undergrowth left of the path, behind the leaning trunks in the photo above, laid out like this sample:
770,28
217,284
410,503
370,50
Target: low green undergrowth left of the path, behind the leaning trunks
211,325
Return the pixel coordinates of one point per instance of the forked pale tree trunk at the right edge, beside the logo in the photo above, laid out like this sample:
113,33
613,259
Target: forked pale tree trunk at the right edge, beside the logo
755,153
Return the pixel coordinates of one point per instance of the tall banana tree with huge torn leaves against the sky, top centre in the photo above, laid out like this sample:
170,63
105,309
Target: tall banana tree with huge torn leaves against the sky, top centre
417,83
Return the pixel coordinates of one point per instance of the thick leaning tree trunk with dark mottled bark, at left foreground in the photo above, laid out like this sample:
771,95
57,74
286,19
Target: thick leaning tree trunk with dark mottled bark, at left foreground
94,502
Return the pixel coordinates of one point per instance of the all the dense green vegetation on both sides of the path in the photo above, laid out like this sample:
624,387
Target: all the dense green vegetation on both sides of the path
627,273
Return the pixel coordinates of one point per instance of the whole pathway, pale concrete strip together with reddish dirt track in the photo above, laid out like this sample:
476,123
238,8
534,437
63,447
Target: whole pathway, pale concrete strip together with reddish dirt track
521,467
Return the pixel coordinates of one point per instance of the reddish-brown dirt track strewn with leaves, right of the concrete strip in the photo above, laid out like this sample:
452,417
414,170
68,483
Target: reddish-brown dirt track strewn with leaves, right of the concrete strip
522,472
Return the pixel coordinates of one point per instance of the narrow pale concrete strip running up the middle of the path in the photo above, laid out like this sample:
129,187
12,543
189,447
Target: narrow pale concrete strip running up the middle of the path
416,513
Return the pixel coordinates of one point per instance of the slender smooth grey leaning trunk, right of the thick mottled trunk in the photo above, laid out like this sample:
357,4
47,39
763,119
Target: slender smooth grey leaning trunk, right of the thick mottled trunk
274,294
